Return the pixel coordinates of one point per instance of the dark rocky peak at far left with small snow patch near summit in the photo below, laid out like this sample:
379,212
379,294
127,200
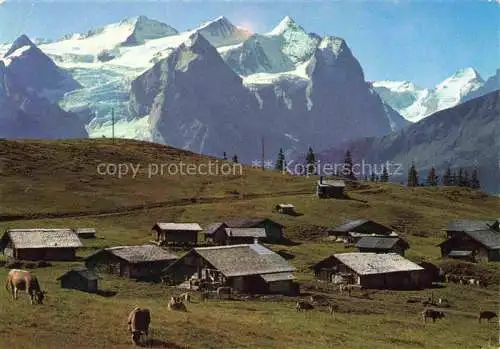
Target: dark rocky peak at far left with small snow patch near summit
29,84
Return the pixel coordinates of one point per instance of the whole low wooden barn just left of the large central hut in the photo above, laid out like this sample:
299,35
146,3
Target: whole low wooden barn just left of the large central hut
135,262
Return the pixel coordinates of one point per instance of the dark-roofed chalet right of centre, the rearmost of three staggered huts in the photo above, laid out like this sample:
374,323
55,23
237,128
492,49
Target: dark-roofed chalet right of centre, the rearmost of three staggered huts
353,230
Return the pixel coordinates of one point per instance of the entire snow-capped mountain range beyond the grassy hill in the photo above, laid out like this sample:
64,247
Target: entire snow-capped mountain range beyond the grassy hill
220,88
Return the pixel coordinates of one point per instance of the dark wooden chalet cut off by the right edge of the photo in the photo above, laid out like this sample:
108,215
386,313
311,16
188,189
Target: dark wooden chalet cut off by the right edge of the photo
472,240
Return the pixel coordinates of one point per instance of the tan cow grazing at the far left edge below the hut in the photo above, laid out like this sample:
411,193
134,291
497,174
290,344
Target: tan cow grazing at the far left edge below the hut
22,280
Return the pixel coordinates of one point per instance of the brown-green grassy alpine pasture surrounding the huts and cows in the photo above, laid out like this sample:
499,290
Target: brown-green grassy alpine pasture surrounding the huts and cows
61,177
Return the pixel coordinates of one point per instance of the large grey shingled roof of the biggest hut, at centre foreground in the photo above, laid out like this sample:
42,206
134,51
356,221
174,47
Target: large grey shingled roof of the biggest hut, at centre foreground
242,260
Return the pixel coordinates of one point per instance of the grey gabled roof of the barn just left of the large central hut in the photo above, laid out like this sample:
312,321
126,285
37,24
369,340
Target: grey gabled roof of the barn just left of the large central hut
139,253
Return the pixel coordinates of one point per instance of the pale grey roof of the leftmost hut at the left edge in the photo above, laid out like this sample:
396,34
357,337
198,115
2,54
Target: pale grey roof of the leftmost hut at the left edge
41,238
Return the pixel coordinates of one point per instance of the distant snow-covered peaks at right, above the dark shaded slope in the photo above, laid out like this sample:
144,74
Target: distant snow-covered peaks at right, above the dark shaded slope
415,103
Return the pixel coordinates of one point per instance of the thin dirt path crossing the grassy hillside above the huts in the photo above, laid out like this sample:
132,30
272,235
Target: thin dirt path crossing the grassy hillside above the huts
134,208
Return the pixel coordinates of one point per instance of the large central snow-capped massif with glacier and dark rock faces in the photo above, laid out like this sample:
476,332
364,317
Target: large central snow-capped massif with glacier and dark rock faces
217,87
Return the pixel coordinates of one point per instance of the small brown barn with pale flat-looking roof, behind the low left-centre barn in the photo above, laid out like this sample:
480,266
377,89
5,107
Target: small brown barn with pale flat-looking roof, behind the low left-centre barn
176,233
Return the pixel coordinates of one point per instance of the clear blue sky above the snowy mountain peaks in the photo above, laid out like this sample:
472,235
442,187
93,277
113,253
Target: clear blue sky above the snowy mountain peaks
421,41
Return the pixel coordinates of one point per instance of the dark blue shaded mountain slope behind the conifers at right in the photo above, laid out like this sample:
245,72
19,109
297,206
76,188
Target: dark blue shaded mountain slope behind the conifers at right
467,135
